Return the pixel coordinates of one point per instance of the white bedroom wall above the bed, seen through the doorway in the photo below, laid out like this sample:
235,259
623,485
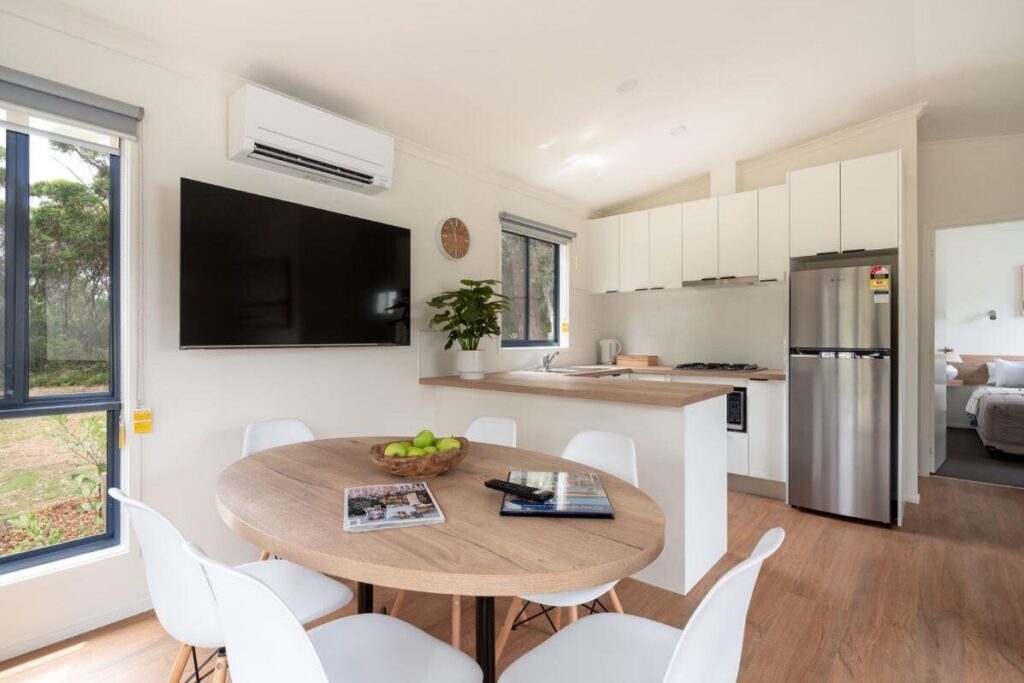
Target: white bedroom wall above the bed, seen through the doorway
984,267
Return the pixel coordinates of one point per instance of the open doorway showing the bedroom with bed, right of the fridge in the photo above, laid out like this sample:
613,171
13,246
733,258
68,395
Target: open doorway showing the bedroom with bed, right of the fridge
979,363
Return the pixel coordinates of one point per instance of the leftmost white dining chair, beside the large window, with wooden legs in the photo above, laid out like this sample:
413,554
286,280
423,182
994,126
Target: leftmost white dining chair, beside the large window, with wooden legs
183,601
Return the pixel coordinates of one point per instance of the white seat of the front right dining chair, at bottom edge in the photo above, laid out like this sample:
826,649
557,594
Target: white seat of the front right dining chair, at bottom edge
601,649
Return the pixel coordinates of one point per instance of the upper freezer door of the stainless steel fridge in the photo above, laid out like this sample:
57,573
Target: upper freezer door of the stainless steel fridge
835,309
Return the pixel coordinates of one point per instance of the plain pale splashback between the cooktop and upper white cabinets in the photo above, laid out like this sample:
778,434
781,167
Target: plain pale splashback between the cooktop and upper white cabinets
722,325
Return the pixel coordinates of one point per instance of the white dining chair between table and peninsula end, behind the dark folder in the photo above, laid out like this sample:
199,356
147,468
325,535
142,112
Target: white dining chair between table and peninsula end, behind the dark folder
610,453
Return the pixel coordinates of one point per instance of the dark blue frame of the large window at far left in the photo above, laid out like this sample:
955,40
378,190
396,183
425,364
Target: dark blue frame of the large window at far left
16,401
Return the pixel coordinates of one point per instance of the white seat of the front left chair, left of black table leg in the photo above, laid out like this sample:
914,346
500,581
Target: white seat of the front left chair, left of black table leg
375,648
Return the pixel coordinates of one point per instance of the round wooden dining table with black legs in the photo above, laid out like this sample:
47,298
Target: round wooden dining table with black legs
290,501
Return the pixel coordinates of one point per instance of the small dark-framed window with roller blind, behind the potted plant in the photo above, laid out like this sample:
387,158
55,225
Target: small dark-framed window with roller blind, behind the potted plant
534,258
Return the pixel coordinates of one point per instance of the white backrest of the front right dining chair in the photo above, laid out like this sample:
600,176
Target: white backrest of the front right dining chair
712,644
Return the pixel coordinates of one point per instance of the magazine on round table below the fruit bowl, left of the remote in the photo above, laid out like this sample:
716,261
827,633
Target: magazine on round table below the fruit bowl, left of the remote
391,506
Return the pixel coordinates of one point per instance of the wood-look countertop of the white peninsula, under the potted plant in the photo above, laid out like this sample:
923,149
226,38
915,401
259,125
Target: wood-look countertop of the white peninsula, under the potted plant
674,395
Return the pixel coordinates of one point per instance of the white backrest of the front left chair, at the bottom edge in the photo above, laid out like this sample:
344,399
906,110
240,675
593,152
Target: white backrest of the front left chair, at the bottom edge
266,642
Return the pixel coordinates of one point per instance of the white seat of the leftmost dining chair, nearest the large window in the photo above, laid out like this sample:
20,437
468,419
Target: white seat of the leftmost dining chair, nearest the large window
308,593
